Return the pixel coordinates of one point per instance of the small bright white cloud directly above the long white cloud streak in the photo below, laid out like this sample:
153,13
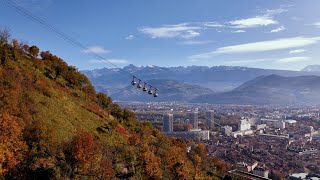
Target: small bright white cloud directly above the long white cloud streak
253,22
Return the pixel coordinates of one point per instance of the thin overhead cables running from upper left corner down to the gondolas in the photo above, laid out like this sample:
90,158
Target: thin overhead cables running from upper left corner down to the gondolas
61,34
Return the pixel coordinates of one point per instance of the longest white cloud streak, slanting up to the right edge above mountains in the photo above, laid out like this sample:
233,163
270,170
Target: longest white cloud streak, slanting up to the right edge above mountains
277,44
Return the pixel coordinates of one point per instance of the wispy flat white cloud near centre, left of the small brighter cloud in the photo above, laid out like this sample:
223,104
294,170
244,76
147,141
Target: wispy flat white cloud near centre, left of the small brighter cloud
184,30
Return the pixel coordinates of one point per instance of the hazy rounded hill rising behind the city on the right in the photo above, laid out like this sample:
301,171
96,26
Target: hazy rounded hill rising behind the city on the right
271,90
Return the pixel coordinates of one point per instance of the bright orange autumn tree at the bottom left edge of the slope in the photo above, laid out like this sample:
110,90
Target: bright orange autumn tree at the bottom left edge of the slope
11,143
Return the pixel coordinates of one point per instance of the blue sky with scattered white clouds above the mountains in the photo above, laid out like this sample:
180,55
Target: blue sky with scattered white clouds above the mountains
273,34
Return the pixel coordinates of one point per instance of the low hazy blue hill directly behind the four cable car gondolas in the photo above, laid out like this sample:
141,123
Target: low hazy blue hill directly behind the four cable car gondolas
171,90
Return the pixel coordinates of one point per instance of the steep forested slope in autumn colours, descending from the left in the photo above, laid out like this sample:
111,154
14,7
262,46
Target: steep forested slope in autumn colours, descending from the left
54,125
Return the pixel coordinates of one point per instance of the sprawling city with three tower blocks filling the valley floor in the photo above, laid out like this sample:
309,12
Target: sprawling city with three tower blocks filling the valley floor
257,140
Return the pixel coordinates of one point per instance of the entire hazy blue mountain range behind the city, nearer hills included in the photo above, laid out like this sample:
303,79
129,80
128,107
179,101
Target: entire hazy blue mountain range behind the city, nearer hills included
217,84
